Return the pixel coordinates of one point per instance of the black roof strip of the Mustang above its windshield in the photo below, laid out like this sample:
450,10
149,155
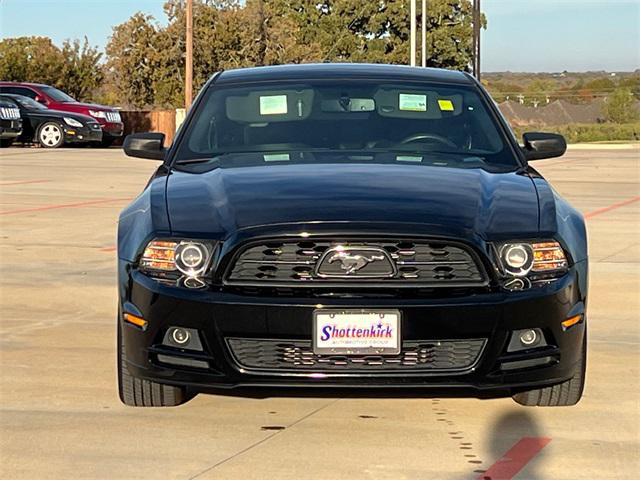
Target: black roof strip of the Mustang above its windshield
345,70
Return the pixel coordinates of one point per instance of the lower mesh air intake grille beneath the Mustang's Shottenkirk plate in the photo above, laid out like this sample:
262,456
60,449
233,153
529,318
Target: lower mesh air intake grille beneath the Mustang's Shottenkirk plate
297,355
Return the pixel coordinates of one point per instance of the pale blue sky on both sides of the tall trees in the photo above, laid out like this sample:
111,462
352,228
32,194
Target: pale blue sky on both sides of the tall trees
521,35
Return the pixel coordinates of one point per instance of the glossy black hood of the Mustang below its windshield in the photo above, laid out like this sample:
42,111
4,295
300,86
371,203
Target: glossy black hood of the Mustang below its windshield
436,200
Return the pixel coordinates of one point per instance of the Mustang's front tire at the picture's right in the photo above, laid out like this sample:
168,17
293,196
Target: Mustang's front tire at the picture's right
564,394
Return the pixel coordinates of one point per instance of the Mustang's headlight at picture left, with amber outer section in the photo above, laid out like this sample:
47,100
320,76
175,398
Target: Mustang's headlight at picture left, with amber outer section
188,257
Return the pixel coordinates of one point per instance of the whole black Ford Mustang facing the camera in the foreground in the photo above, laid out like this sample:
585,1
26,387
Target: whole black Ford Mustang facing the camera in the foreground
350,225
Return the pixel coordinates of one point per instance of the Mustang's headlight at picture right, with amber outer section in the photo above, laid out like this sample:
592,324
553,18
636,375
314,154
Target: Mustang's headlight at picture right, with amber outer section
519,259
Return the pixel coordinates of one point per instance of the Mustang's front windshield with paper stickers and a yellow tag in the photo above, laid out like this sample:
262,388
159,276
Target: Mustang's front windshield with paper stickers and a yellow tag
367,117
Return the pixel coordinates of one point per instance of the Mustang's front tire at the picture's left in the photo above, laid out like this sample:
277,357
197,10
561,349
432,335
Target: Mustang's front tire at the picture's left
137,392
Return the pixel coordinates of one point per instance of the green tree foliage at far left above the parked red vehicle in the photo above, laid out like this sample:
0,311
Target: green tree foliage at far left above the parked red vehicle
75,68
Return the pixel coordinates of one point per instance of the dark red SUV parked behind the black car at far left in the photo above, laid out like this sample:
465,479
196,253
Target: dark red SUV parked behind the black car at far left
108,117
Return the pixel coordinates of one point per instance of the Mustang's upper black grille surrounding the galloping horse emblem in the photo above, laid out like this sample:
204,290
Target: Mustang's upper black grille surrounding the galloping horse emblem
296,263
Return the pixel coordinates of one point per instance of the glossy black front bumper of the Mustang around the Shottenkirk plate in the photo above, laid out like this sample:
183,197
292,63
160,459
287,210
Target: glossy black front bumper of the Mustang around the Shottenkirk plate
220,316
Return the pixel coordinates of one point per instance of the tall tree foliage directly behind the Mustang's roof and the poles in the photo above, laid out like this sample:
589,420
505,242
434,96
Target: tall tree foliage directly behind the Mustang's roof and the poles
146,62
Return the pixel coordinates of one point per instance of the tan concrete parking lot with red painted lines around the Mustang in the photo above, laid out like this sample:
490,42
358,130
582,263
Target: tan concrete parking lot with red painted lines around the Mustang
61,418
